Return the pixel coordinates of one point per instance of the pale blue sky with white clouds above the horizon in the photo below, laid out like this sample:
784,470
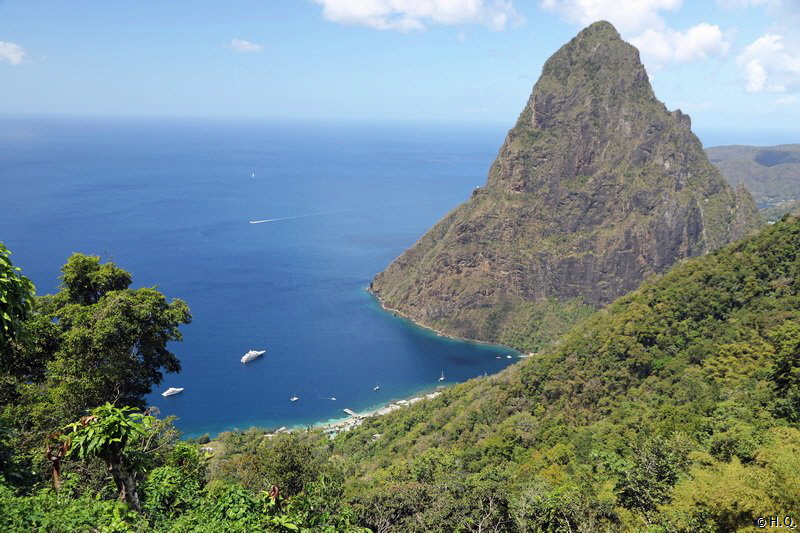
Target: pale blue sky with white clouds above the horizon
733,65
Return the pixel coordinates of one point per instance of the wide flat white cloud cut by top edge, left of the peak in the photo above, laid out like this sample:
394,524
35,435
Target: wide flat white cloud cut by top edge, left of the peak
407,15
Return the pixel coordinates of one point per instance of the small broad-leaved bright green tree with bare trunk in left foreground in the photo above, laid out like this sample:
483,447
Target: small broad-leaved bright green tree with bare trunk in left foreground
104,433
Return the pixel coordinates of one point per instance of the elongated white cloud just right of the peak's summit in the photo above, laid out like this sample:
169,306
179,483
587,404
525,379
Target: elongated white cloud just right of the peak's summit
669,46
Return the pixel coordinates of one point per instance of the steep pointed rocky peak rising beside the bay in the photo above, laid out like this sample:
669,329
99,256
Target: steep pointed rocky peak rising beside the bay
596,187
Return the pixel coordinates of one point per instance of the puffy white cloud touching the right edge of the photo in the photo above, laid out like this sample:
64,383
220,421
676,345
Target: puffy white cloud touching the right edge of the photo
770,65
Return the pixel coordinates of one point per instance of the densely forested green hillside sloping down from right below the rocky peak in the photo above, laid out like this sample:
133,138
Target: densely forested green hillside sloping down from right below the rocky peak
673,409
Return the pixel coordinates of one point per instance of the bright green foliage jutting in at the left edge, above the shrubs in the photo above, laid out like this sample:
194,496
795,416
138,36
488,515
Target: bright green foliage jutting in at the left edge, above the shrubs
16,299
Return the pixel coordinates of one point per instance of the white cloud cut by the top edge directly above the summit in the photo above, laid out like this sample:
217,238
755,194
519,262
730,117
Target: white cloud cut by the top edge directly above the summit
627,17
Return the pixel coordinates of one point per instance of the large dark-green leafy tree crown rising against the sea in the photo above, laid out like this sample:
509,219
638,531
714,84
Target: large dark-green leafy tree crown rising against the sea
112,344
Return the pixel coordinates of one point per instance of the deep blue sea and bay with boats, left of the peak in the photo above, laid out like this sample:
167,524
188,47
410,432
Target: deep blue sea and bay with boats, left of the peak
171,201
